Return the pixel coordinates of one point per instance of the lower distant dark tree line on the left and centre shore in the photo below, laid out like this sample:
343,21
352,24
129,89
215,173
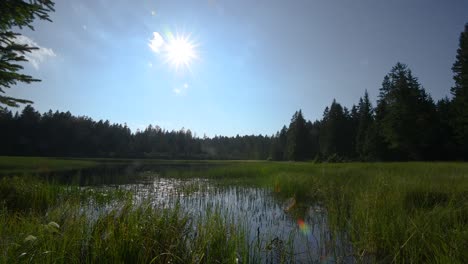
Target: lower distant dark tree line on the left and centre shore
62,134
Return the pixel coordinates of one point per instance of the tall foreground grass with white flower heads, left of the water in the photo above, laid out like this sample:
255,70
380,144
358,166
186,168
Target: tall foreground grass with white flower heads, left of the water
66,231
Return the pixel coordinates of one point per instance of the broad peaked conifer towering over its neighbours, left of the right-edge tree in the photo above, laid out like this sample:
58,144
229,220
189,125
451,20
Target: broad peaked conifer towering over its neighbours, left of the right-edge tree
406,115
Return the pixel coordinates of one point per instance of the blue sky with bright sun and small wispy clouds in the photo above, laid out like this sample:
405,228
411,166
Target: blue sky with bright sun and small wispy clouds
233,67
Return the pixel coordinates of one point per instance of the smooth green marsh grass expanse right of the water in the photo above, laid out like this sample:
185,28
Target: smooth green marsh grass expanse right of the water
391,212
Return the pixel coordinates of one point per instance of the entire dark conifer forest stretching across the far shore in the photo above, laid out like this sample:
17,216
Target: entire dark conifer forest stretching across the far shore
405,124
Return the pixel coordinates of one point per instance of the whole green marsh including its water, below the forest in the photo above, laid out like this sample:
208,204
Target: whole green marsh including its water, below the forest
382,212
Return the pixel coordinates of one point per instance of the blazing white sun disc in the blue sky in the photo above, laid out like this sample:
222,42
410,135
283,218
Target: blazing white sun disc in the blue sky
180,51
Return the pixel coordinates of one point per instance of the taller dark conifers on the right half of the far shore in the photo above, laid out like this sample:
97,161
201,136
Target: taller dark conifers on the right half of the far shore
405,124
